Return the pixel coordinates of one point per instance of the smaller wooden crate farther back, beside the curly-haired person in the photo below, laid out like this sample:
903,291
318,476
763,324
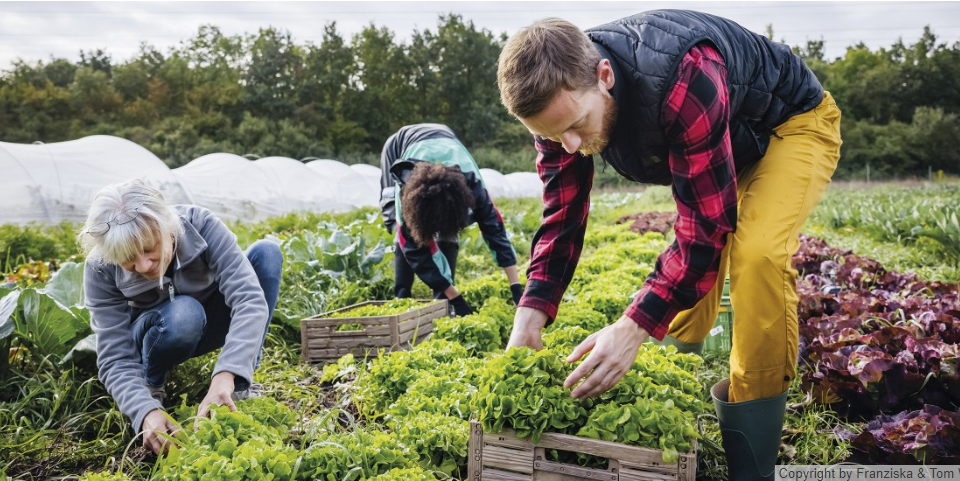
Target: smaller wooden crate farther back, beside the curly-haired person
321,342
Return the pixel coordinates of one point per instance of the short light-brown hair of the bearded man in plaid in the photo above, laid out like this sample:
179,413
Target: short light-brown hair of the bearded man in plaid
539,60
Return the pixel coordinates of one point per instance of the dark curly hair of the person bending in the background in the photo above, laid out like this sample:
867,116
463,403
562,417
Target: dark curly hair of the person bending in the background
435,200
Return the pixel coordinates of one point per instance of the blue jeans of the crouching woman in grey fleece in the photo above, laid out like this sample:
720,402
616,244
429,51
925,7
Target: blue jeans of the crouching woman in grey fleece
174,331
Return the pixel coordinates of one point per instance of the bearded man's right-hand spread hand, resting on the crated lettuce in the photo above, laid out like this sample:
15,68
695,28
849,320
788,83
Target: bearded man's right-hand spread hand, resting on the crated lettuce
614,349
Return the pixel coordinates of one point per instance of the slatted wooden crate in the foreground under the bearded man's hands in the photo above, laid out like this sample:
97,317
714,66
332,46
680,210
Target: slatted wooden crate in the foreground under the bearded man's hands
504,457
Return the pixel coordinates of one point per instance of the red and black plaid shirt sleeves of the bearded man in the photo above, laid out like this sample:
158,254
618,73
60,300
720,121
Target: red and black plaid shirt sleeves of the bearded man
695,118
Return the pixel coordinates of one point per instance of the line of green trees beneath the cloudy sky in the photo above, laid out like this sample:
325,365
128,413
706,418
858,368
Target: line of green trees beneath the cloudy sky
264,94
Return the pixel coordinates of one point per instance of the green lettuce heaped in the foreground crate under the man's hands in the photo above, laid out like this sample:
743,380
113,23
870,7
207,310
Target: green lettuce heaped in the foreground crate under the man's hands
522,390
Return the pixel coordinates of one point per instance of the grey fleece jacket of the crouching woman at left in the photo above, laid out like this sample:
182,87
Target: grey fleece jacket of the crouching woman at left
207,259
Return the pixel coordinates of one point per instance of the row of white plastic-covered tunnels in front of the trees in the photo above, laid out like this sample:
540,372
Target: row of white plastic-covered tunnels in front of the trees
50,183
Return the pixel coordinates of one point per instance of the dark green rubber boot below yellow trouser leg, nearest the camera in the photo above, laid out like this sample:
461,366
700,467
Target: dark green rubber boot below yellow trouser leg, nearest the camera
751,433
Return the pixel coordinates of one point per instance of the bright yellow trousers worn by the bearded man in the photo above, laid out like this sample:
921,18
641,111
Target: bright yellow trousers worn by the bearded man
775,197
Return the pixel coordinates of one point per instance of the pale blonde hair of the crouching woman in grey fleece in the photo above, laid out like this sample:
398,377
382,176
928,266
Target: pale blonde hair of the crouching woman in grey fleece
125,218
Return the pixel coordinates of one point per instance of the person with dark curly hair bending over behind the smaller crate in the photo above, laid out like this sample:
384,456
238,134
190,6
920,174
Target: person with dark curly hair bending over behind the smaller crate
432,189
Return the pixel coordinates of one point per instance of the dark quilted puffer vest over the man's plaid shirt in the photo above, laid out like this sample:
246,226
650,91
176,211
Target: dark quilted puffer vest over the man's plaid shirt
767,84
